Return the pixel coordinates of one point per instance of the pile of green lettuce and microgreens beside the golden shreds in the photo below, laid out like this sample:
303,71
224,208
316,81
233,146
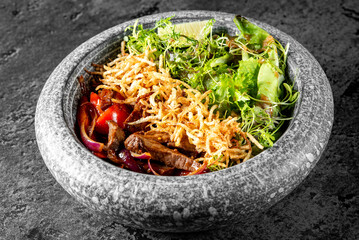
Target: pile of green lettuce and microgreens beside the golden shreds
246,73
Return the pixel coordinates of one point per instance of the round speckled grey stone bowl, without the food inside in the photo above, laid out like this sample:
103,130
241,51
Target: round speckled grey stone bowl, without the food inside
191,203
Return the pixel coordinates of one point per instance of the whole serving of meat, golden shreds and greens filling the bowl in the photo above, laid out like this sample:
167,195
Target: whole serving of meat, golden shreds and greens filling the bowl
225,107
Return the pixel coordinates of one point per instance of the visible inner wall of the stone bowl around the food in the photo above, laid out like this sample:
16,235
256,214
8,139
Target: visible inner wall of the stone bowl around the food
110,48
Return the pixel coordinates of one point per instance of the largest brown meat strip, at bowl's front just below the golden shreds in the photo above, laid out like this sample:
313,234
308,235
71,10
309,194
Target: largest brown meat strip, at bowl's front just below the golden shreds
139,143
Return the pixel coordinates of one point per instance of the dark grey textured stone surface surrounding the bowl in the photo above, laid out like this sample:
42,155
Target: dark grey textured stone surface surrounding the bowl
37,35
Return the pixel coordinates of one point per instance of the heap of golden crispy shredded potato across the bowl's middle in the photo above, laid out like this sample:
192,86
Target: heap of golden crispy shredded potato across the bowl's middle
176,108
